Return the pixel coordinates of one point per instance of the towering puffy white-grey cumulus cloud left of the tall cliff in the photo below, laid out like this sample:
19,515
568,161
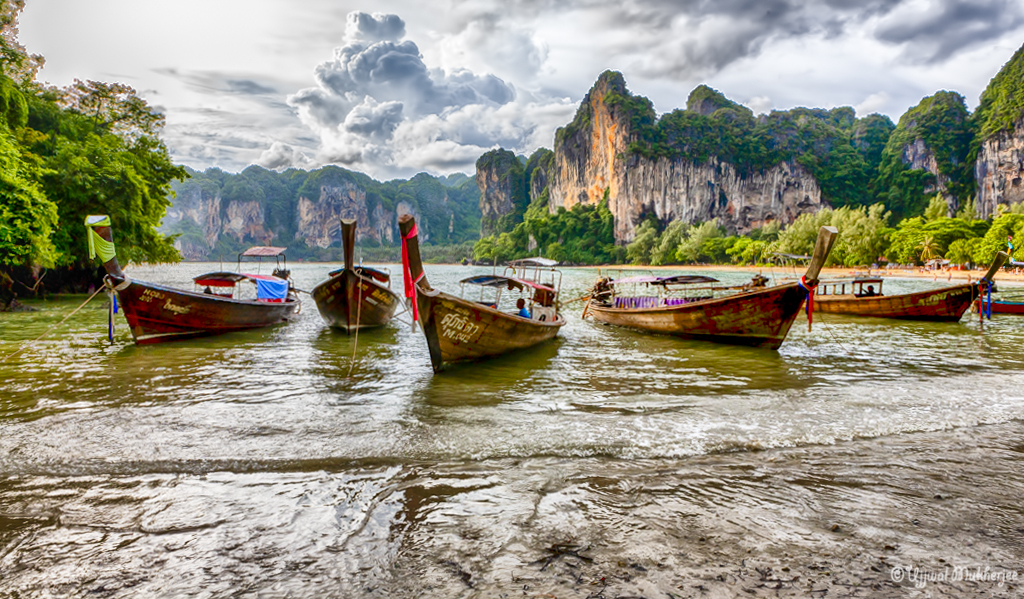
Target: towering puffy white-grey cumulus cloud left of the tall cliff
378,108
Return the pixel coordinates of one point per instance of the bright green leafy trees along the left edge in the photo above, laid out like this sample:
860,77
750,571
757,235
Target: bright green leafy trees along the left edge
91,149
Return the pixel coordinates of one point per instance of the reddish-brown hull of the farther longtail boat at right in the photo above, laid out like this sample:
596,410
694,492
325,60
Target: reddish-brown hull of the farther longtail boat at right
945,306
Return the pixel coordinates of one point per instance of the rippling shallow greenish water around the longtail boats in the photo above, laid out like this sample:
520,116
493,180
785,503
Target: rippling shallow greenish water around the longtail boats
270,463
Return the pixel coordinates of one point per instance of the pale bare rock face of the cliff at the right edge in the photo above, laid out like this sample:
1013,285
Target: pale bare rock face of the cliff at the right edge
1000,170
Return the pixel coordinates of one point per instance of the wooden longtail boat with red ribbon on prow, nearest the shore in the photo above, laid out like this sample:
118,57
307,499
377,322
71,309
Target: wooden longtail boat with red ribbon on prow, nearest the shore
461,330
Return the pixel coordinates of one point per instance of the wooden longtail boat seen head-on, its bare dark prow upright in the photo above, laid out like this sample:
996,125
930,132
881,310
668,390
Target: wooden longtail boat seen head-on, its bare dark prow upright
356,297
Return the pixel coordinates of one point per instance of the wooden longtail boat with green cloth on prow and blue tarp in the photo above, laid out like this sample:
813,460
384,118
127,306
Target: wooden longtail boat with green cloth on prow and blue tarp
157,314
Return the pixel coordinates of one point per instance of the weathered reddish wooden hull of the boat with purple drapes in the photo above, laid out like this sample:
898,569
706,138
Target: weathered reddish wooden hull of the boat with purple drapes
759,319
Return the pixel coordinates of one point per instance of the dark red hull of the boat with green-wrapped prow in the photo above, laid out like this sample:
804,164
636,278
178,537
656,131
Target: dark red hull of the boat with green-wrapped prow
158,314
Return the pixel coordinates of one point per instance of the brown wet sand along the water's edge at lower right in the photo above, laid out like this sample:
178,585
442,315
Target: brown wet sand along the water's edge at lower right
815,522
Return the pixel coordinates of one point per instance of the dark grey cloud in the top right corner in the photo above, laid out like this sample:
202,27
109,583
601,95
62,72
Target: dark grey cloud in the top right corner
953,25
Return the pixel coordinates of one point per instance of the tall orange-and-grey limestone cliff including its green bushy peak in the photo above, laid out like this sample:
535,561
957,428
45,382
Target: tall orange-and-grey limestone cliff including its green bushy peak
603,154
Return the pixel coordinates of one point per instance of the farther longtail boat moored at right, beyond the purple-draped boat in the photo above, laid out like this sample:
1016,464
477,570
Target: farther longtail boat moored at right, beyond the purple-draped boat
941,306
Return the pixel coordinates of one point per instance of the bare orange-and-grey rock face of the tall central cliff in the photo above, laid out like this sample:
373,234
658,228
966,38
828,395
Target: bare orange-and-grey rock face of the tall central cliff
595,160
